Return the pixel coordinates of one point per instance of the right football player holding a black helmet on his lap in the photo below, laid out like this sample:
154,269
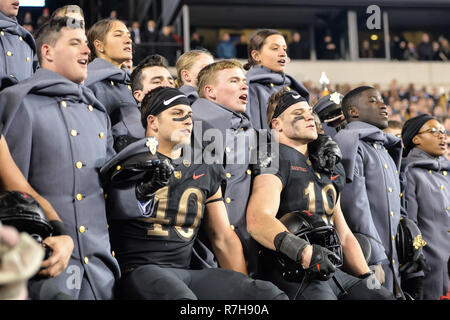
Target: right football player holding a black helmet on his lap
294,185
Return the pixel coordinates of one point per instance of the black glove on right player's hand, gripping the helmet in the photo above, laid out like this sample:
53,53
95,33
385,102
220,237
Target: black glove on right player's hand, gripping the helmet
321,267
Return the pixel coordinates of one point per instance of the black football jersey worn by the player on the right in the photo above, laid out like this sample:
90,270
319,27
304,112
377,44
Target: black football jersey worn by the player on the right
305,189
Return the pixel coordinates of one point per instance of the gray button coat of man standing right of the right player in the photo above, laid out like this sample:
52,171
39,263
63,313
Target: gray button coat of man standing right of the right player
370,201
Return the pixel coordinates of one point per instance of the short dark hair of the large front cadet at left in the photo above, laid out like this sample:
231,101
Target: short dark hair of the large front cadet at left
48,33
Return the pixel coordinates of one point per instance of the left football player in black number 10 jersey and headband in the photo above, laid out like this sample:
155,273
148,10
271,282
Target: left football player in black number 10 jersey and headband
154,246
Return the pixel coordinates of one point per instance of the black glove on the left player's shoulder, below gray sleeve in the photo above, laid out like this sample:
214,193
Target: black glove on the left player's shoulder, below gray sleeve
154,180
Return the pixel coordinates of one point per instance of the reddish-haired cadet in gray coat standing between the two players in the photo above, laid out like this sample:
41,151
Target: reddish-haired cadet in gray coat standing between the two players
220,111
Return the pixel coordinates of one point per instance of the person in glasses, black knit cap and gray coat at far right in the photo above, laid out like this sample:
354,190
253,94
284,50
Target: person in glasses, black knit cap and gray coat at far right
427,191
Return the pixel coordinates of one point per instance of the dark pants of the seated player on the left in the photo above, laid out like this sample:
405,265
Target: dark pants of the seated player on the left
152,282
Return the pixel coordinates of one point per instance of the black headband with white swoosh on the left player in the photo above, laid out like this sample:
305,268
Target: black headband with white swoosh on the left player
165,99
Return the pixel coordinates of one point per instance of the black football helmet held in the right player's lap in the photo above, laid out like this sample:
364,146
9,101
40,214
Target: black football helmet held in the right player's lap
314,230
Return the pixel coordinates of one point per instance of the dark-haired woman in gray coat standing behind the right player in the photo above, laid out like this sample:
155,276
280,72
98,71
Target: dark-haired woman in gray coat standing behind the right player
267,60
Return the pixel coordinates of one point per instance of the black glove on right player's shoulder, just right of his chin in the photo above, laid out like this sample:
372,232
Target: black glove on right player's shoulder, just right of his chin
324,153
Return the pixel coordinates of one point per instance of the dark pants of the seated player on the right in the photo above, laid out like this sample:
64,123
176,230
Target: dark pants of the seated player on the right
342,287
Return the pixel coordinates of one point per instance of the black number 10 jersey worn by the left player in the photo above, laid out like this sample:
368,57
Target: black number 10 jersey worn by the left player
166,236
